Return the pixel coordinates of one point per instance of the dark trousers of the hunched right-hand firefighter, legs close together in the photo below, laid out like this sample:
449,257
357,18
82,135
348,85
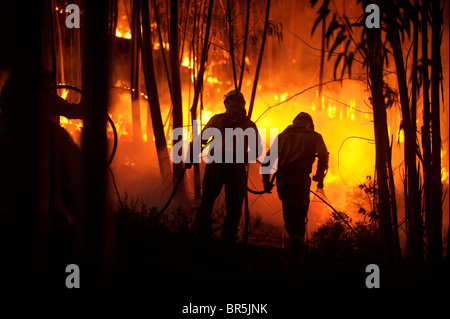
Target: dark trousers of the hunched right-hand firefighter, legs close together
293,185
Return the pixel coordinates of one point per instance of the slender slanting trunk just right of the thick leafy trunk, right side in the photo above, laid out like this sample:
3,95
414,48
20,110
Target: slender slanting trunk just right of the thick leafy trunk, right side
413,209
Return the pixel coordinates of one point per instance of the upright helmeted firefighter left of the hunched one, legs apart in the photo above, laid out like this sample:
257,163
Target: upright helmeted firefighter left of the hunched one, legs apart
232,174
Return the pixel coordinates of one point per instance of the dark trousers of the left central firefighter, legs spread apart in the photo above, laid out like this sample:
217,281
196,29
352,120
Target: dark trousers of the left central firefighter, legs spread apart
233,176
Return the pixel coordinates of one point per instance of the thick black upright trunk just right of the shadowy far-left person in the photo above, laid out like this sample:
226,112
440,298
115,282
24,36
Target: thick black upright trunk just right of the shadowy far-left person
95,255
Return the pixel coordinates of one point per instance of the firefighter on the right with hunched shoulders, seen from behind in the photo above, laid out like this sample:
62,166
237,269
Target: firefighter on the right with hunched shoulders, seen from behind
298,146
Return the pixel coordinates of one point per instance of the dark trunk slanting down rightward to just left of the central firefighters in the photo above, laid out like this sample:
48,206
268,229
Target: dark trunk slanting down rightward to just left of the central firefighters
152,91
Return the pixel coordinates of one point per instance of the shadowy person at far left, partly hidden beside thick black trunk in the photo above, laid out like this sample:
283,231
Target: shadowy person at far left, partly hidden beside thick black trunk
59,158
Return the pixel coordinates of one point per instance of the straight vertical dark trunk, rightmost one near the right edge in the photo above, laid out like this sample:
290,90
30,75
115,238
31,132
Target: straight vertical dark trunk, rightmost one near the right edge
435,252
